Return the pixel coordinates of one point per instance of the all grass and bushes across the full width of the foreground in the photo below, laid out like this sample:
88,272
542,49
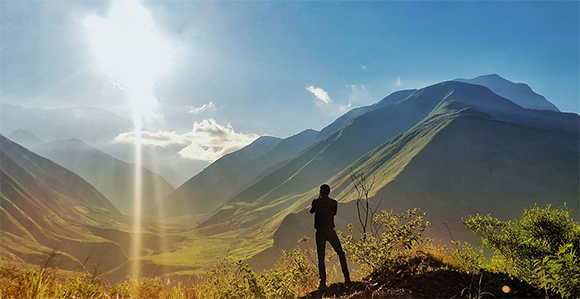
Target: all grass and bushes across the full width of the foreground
541,248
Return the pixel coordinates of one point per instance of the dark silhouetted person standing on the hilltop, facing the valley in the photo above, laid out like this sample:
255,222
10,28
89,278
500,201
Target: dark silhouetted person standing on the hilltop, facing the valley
324,209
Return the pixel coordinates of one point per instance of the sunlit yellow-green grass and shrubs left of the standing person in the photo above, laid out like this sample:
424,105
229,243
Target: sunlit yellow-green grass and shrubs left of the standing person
295,274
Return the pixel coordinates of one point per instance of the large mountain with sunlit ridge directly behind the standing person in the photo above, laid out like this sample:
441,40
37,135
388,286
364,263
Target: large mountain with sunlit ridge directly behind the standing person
453,149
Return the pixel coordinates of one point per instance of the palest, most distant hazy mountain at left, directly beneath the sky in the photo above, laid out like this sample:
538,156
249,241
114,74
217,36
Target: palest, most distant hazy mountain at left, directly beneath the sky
94,125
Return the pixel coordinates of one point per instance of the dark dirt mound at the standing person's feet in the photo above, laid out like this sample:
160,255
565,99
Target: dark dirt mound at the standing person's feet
439,283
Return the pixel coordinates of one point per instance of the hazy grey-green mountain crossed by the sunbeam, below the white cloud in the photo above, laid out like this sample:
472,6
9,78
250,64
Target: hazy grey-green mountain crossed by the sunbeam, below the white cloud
112,177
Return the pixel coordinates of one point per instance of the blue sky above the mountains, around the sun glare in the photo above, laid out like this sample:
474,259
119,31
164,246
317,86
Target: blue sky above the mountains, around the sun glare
252,63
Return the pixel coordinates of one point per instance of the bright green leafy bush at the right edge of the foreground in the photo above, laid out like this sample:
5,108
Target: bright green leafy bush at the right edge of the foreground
542,247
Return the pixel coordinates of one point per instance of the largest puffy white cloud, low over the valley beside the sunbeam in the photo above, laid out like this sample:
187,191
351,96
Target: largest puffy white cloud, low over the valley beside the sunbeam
207,141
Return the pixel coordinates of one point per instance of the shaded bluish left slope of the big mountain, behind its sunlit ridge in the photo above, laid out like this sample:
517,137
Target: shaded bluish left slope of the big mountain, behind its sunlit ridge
323,160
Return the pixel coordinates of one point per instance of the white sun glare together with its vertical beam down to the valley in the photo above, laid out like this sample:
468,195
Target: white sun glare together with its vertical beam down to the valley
128,45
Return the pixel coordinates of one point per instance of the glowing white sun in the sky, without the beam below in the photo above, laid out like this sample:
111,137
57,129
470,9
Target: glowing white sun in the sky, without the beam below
128,44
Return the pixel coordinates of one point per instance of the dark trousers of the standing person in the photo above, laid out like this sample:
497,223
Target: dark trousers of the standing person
323,235
